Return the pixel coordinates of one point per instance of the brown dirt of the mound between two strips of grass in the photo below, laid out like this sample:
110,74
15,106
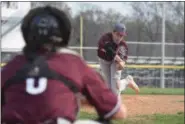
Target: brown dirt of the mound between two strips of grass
148,104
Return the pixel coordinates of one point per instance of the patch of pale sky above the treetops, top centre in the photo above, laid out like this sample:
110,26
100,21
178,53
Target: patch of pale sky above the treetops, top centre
121,7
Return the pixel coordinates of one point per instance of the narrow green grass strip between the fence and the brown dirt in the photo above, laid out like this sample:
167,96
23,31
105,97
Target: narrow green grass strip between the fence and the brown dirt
156,91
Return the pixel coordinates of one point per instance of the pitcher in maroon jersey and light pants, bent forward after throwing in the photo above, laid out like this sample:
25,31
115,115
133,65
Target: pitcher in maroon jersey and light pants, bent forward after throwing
112,53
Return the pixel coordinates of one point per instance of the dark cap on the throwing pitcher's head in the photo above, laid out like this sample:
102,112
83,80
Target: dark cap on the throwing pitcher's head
120,28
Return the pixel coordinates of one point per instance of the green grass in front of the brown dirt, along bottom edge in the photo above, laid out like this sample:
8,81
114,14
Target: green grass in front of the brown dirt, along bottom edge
145,119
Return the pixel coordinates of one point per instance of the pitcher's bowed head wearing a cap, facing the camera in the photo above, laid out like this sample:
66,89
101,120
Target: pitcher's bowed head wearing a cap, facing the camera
119,32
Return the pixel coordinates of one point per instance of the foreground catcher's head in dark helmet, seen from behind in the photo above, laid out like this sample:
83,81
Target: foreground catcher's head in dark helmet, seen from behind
46,26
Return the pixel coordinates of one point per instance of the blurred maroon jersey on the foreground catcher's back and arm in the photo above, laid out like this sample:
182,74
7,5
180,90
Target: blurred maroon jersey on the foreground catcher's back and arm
56,100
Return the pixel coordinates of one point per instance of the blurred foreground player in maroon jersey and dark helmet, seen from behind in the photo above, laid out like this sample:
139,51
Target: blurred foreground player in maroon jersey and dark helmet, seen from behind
42,85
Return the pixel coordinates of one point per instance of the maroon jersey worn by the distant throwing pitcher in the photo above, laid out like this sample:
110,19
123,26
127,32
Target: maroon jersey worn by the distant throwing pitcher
121,49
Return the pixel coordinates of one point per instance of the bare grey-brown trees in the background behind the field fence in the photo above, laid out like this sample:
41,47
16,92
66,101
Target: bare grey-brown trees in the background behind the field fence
143,23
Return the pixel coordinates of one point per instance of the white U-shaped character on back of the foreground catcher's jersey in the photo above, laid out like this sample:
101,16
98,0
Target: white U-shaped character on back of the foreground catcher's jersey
31,89
